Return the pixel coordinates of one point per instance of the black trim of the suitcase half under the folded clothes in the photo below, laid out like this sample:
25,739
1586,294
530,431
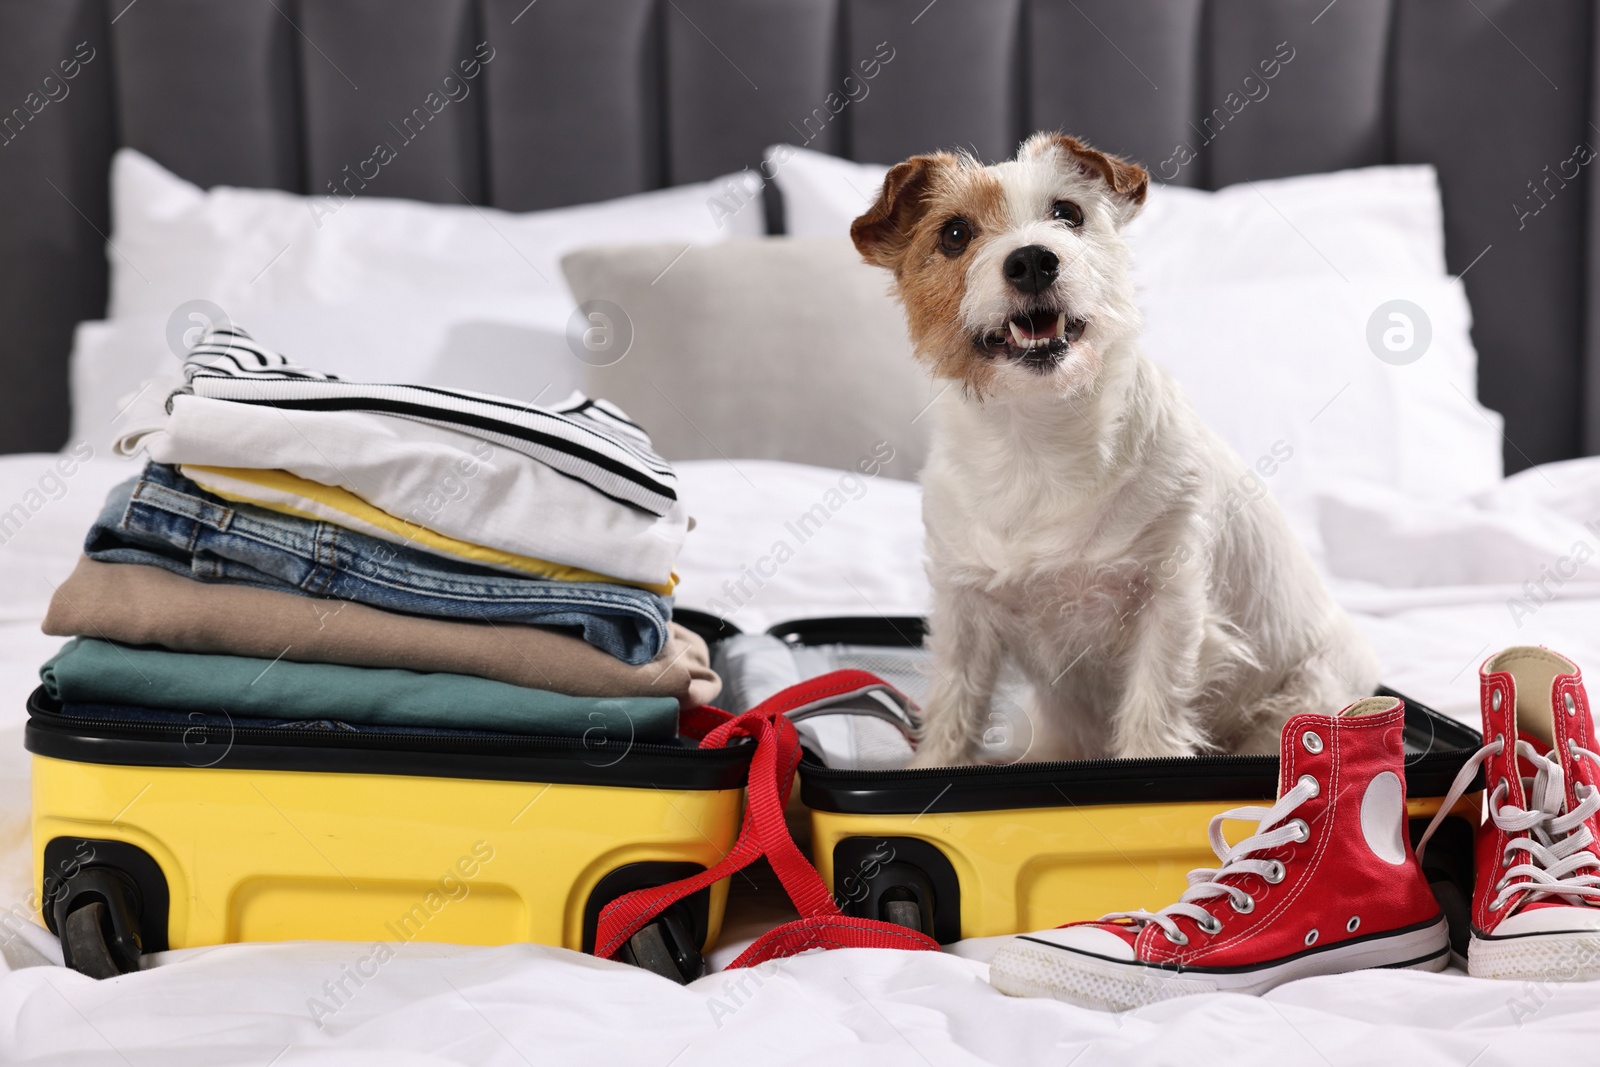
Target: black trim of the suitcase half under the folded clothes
457,754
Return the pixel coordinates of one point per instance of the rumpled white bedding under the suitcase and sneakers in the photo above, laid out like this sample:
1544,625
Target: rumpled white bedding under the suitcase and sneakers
1430,585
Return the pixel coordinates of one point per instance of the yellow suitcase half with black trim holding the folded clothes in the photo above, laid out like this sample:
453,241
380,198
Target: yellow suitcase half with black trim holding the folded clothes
180,831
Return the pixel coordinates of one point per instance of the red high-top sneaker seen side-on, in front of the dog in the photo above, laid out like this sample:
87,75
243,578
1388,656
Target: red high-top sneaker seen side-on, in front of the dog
1327,884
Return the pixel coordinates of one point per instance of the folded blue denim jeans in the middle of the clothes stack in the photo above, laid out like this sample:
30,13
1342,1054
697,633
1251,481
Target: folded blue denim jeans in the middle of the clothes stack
162,519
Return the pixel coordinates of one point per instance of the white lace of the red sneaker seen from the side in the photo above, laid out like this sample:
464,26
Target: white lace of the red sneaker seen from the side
1206,884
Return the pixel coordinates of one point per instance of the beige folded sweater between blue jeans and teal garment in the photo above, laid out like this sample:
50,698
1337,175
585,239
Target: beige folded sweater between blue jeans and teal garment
146,605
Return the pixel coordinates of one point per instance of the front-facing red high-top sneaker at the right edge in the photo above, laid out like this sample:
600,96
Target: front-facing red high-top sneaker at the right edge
1538,863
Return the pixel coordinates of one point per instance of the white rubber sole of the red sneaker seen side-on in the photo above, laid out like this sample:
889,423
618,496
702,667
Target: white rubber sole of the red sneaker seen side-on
1031,969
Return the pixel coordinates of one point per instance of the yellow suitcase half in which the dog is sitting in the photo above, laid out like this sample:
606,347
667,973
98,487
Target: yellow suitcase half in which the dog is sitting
1001,850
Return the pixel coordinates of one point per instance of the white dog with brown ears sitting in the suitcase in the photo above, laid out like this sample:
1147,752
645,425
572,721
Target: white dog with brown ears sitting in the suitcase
1082,524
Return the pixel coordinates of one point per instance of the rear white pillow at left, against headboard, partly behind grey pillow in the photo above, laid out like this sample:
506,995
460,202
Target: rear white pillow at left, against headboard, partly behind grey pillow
257,249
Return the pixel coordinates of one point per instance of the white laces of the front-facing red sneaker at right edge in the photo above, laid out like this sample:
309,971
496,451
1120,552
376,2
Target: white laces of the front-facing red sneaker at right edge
1556,844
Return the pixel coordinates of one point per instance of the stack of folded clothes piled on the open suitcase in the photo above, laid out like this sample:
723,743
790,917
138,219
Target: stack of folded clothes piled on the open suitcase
303,549
